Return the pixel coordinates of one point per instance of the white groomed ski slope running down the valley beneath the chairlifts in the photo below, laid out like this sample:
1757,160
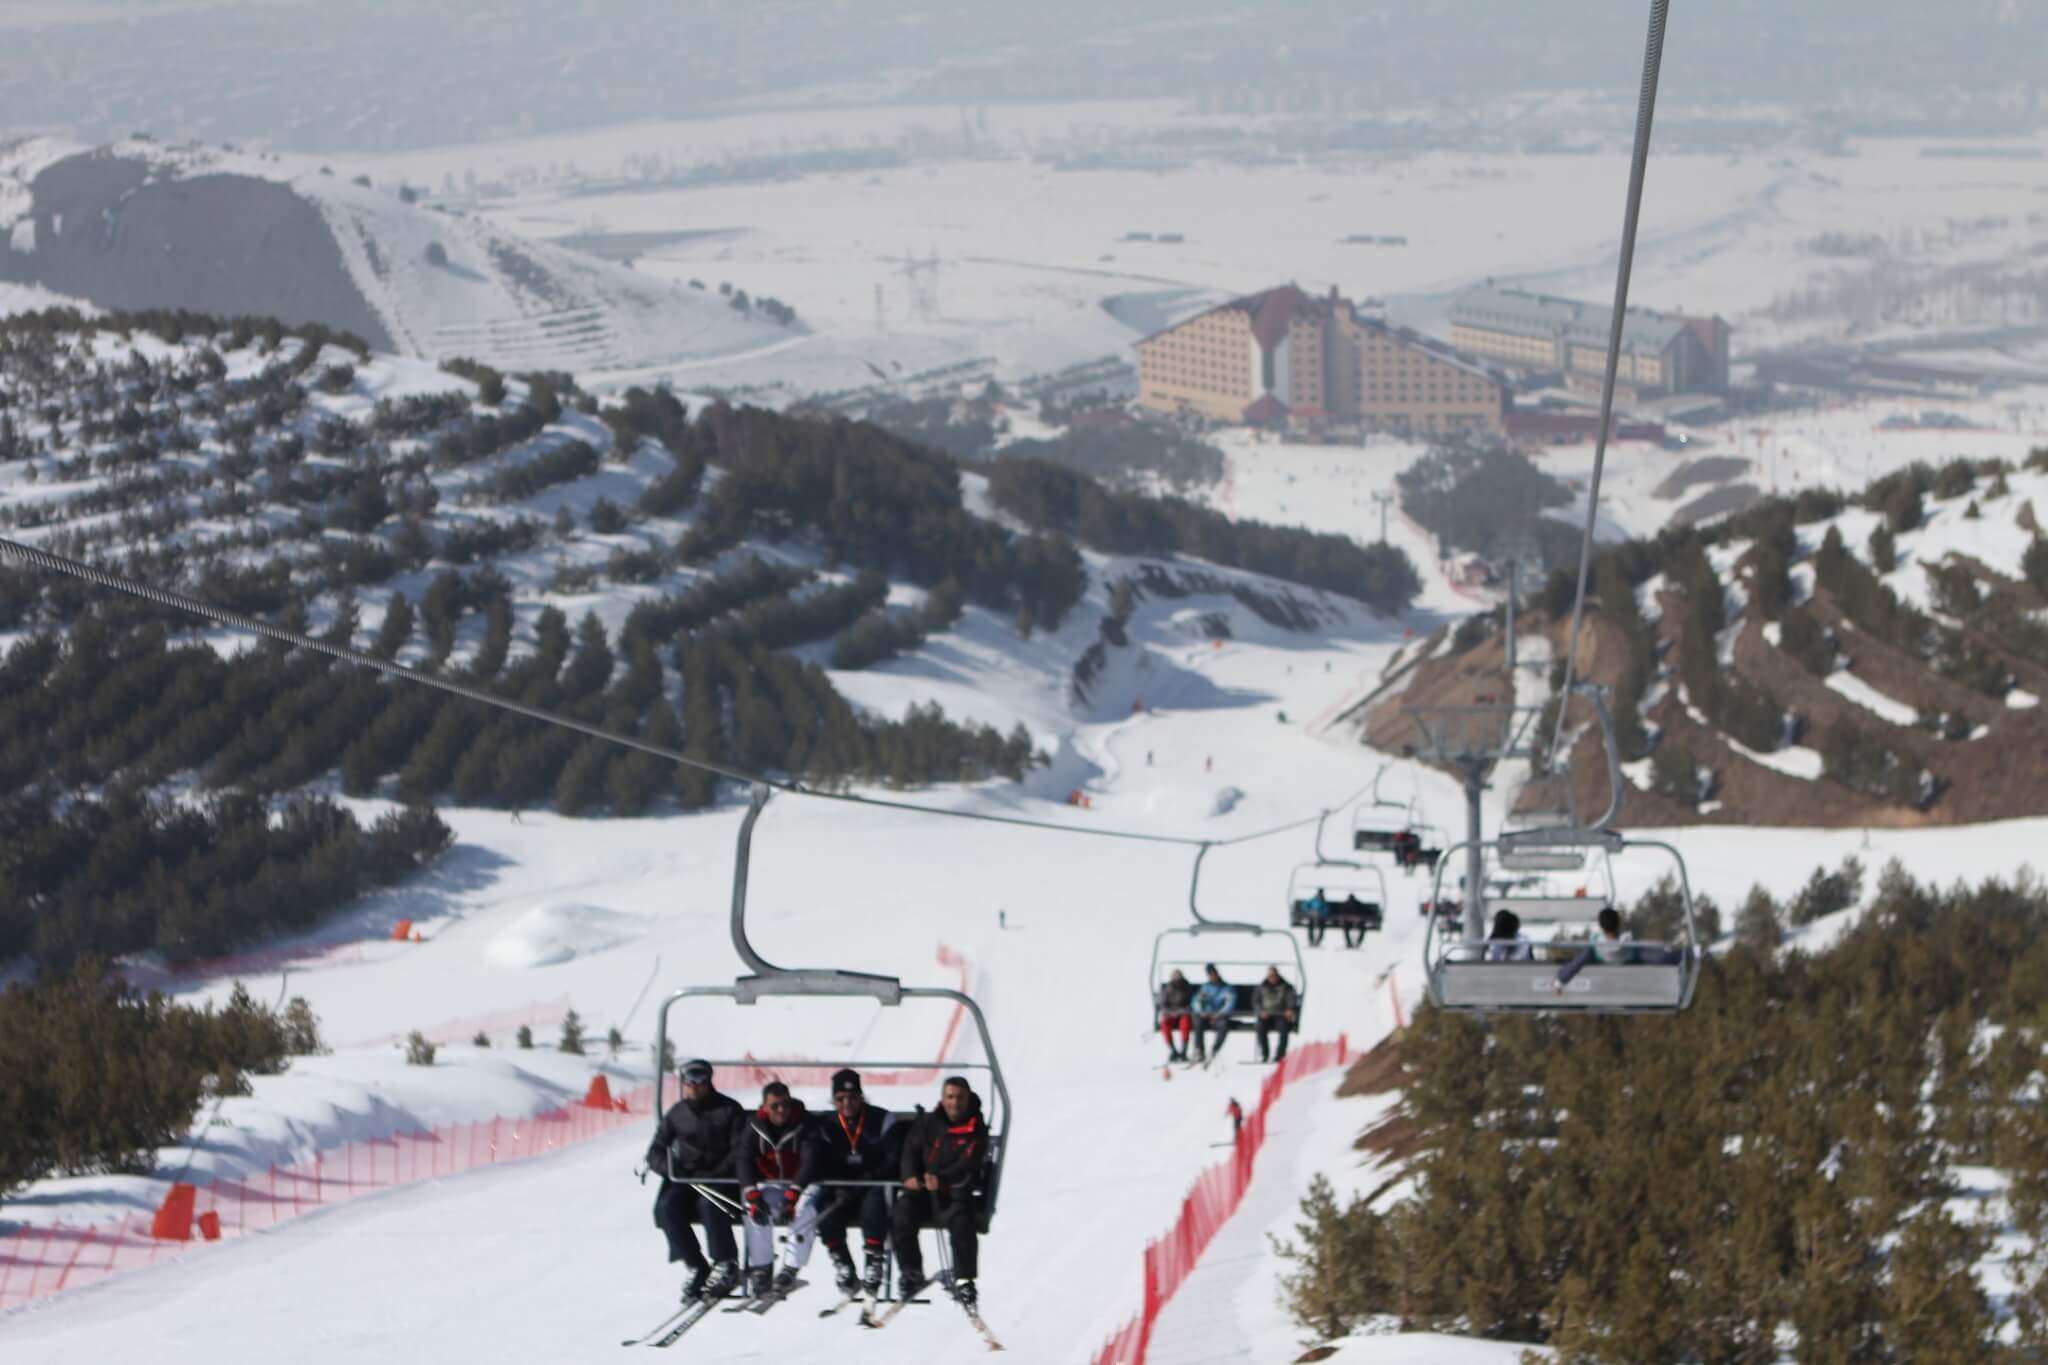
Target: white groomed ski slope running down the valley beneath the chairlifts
556,1260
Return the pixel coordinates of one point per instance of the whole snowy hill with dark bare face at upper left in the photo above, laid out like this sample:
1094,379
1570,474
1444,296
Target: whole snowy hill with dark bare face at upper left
435,283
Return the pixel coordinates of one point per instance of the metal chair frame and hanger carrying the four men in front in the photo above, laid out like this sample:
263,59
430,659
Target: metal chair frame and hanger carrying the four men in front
771,981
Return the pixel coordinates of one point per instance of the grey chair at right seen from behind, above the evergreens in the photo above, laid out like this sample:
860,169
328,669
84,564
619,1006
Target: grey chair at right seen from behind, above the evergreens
1650,977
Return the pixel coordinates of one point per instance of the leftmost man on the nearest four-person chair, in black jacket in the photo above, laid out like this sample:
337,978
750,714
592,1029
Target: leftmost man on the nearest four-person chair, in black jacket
697,1139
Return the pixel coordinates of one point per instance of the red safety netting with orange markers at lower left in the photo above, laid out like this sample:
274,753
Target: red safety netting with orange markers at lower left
42,1262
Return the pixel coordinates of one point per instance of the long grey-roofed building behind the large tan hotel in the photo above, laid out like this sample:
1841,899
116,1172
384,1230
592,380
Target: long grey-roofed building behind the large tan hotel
1662,353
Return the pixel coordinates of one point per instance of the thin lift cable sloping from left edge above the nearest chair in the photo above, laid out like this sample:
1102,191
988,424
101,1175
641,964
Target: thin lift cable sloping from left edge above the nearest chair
253,625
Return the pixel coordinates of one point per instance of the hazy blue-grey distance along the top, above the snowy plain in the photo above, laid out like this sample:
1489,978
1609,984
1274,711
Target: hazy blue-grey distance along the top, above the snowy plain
374,75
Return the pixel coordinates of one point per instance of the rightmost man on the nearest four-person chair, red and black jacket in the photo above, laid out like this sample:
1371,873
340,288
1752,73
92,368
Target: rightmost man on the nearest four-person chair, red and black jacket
945,1163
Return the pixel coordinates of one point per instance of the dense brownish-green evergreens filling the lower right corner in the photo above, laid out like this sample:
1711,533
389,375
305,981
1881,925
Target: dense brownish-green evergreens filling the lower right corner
1791,1170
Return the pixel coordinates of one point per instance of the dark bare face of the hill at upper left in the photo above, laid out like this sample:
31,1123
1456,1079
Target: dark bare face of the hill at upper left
118,234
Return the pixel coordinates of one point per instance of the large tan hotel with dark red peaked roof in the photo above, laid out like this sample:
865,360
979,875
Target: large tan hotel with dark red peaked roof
1285,357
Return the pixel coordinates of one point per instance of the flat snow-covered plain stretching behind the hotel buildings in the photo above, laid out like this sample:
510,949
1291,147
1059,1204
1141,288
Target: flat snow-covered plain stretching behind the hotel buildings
1031,245
